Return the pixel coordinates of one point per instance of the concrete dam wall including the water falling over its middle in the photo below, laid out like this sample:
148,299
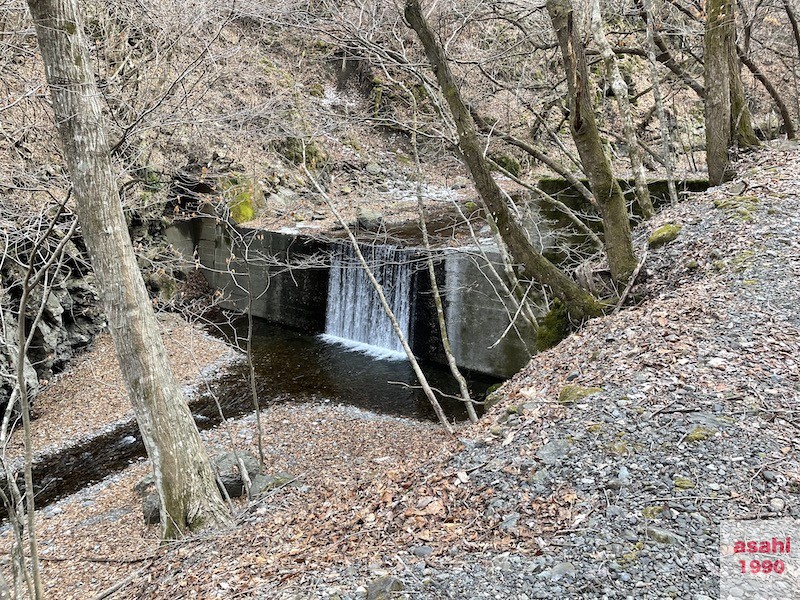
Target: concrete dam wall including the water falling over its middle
287,279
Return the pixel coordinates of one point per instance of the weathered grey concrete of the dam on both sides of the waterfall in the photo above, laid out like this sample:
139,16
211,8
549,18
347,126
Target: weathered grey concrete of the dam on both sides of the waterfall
476,317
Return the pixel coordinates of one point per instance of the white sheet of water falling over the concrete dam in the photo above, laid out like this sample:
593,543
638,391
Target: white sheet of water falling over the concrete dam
354,316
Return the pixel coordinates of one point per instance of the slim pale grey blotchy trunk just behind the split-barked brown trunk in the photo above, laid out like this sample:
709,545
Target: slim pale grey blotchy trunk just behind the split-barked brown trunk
620,89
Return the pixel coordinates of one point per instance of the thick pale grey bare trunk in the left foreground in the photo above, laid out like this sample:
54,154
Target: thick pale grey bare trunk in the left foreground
190,499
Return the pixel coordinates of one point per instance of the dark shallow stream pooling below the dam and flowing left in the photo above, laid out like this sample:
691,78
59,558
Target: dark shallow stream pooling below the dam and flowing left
290,366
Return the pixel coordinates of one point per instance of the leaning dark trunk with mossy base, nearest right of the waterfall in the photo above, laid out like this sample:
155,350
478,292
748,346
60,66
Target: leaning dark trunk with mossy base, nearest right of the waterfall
580,304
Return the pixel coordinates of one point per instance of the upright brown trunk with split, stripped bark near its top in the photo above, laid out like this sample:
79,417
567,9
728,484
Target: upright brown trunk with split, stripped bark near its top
619,248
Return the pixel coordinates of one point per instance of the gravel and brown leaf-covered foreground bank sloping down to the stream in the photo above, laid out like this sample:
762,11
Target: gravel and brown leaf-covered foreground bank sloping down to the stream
683,412
